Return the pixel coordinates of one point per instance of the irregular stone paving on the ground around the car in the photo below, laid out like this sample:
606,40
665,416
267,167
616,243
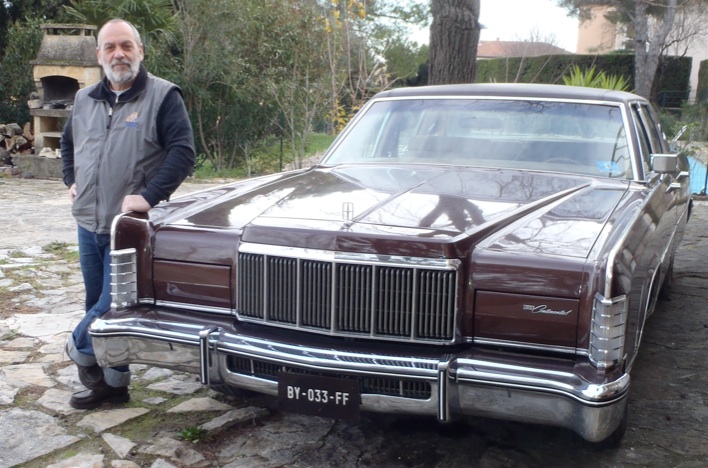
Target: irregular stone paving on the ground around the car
40,301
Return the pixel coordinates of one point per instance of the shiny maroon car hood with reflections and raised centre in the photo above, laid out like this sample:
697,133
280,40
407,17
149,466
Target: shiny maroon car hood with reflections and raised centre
399,210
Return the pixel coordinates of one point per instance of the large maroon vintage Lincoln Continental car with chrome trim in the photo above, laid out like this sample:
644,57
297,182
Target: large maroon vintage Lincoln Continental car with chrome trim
464,250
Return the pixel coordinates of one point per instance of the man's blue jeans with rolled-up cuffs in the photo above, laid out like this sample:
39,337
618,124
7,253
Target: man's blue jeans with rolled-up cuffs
95,260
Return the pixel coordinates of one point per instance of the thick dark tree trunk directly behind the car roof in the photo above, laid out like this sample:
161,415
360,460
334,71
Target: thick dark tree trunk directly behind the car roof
454,34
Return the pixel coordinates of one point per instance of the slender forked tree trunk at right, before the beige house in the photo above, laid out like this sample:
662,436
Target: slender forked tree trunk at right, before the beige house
648,49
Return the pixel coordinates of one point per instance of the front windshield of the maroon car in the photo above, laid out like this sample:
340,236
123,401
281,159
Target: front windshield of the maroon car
578,138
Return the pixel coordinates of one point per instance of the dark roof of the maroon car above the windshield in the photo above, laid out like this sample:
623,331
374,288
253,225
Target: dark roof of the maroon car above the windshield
520,90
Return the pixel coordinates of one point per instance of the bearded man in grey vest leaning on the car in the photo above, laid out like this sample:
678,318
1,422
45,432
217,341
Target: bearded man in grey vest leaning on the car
127,145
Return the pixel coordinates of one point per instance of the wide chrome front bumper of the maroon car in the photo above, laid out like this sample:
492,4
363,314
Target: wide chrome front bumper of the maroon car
464,383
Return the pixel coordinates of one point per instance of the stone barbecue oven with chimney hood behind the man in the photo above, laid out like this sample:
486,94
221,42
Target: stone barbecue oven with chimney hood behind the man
65,63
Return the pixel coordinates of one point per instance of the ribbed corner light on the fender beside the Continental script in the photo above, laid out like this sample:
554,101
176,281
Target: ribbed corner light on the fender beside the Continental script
609,318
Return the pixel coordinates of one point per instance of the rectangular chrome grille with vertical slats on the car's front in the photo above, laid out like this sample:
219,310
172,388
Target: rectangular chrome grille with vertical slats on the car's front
408,303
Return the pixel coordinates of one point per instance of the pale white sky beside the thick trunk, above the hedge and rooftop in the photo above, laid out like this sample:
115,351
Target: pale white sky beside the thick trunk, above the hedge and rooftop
509,20
